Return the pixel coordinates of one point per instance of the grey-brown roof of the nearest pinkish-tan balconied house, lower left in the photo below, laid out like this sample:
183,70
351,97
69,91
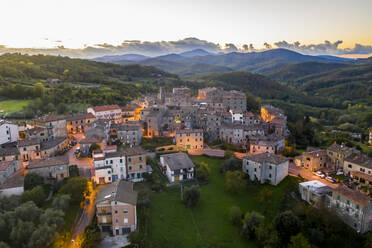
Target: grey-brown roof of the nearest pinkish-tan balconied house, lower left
121,191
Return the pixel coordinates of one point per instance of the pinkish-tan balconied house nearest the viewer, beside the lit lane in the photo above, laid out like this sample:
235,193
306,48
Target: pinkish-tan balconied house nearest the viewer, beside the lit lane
116,208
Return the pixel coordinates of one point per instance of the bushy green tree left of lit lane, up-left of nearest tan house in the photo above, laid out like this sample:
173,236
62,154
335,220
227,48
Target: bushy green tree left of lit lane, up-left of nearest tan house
75,187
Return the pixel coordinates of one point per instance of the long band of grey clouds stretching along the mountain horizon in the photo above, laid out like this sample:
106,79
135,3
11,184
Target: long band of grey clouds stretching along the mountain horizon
165,47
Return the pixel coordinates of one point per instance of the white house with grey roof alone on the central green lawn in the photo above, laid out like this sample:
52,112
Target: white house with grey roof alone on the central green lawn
177,167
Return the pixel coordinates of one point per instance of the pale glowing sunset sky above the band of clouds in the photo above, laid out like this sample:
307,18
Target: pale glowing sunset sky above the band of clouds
78,23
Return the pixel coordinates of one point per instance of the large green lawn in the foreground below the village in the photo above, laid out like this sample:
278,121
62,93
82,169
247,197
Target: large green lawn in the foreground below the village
171,224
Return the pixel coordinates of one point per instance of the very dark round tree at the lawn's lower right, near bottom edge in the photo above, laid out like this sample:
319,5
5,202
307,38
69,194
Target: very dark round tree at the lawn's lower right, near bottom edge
287,225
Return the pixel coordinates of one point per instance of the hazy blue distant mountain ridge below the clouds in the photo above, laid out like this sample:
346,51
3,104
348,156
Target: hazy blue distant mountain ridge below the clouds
258,62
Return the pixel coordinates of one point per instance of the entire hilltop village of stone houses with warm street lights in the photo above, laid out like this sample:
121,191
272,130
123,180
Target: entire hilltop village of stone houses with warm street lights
106,146
